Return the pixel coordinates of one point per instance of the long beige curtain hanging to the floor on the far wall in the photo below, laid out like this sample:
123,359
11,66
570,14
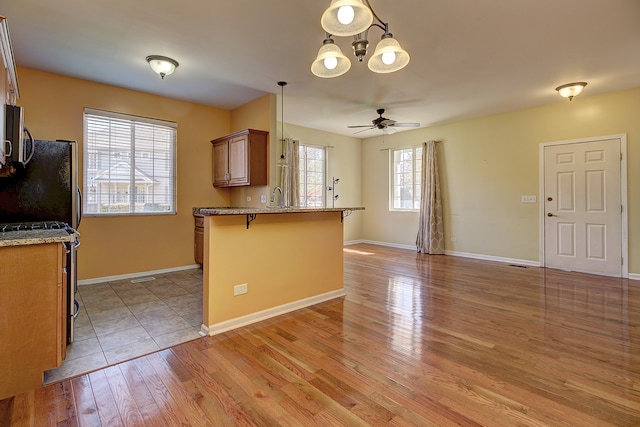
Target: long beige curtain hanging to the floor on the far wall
430,229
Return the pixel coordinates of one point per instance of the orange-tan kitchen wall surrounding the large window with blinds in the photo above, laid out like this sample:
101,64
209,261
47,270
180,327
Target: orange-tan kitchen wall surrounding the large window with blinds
124,245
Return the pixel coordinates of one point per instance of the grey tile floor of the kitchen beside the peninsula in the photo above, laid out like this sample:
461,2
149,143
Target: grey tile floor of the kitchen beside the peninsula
124,319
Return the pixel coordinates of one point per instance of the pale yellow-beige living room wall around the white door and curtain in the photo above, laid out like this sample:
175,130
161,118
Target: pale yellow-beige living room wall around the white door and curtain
487,164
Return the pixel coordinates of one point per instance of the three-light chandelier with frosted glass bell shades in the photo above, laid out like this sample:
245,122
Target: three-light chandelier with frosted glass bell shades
354,18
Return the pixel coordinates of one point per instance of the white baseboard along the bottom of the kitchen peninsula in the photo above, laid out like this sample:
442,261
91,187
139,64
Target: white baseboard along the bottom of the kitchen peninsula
238,322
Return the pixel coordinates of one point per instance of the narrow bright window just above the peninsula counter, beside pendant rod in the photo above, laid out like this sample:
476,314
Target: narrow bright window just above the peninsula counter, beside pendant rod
312,177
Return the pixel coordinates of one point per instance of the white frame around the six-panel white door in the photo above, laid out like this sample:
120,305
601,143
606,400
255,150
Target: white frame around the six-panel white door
624,238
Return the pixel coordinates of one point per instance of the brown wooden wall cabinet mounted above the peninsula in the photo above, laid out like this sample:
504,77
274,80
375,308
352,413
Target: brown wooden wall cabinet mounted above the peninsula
240,159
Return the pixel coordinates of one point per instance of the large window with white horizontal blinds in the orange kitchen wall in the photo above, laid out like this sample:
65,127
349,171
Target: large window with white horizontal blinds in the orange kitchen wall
130,165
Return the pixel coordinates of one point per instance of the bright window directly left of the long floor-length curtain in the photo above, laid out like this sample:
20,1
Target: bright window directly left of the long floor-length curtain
406,170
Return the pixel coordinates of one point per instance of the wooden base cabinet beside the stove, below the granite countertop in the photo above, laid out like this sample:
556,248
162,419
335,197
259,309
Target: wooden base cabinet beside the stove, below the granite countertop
32,314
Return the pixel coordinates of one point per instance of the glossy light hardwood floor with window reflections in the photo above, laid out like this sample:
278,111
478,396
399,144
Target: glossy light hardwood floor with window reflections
418,340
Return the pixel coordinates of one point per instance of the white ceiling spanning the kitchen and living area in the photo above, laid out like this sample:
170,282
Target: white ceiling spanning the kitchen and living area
469,58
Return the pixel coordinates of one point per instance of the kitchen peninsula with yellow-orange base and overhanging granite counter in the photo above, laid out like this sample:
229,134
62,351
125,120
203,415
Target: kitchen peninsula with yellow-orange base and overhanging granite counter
262,262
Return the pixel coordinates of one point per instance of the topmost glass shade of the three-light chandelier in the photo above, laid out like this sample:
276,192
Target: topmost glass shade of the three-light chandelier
346,18
